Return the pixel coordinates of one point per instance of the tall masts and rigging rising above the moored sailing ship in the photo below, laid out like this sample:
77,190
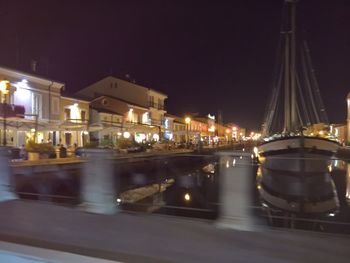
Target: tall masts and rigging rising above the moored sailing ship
296,100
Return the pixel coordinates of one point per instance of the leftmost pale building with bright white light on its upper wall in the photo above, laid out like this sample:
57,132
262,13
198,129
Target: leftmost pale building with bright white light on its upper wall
32,108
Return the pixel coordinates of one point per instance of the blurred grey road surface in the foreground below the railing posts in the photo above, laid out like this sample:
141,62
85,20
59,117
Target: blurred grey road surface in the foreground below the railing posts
133,237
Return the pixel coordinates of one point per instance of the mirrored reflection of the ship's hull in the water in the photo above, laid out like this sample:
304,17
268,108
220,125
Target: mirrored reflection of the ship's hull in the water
301,193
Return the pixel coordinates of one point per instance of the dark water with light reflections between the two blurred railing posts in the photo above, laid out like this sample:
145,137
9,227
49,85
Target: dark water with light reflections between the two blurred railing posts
185,186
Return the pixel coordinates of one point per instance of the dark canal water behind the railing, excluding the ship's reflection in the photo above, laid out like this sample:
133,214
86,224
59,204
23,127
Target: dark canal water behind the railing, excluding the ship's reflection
183,186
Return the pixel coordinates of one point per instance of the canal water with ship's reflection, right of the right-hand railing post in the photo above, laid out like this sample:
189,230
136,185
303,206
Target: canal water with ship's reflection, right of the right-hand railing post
312,201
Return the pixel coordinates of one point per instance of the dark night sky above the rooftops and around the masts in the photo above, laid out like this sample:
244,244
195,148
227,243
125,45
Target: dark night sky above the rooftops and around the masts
206,55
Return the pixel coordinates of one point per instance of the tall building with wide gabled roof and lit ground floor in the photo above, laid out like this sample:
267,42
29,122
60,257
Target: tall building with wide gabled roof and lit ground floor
142,109
